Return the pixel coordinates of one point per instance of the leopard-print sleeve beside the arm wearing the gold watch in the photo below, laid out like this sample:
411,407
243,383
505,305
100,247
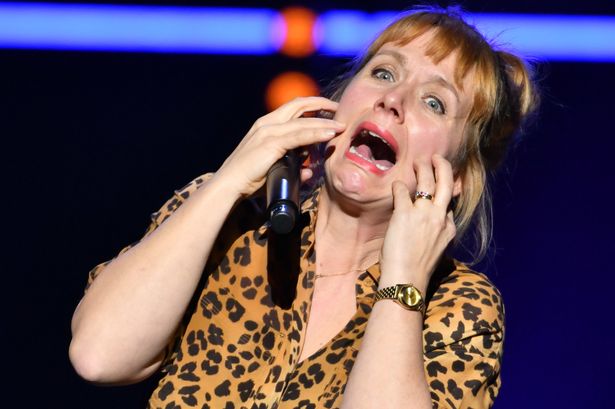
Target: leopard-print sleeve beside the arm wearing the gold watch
463,339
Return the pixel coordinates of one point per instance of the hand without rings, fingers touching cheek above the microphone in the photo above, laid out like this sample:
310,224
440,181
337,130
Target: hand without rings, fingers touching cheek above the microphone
272,136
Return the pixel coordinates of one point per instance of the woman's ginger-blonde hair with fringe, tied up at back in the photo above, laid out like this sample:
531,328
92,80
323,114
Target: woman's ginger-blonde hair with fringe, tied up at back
504,96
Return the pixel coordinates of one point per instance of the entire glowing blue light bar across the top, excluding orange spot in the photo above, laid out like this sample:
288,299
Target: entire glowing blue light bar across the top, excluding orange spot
261,31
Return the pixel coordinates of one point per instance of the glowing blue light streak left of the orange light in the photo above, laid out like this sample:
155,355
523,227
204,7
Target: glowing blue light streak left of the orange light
139,28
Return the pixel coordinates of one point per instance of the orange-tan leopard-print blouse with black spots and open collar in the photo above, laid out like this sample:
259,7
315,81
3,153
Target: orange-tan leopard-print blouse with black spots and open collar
240,344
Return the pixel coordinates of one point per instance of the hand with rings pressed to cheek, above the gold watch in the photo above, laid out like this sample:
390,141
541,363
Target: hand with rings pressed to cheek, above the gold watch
419,229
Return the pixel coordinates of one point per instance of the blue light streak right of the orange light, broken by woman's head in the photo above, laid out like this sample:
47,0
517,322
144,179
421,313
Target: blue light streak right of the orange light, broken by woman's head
545,37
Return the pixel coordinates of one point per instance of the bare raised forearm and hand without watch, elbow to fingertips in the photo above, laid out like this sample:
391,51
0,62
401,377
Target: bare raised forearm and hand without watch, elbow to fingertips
134,306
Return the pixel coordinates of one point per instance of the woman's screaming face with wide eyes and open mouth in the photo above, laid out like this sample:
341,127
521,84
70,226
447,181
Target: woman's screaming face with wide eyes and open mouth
400,110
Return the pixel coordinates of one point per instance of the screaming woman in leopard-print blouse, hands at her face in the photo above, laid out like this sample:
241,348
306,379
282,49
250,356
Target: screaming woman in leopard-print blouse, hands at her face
377,316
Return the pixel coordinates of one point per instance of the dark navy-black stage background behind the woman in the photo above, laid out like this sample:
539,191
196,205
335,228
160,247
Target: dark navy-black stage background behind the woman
94,142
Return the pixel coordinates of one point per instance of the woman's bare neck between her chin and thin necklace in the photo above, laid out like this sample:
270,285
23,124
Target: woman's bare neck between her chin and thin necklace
348,237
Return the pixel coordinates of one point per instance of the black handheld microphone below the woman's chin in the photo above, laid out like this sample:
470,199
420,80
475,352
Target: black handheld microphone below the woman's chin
283,180
